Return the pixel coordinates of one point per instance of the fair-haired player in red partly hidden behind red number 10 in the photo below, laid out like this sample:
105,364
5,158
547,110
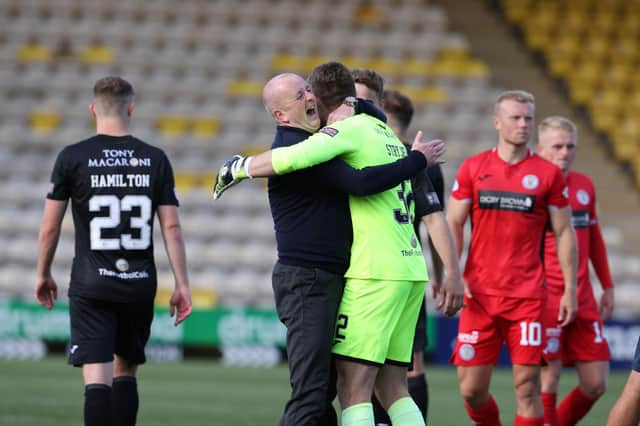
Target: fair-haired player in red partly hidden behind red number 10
581,343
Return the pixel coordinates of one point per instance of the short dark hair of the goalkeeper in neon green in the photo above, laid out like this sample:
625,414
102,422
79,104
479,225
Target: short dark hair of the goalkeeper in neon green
332,82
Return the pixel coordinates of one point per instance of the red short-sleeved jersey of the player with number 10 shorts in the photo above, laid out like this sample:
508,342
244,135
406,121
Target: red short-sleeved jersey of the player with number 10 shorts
509,216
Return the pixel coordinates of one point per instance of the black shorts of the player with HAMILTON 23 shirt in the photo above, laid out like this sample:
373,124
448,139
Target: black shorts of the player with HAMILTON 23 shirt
102,328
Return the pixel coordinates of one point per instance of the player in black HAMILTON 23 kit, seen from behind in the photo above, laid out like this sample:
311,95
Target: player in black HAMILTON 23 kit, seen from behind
116,184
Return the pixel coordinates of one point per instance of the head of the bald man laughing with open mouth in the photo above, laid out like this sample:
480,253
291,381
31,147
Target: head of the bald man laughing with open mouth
289,100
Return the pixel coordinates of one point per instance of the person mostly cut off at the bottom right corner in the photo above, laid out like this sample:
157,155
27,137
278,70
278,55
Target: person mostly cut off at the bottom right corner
626,411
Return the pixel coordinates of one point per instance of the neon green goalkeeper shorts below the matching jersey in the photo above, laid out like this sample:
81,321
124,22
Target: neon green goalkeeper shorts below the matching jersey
376,321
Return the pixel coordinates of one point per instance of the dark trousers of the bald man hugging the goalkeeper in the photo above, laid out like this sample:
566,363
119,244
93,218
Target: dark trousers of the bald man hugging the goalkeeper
307,302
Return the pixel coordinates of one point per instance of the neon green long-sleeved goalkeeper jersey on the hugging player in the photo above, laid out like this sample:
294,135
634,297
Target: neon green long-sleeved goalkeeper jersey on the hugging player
384,246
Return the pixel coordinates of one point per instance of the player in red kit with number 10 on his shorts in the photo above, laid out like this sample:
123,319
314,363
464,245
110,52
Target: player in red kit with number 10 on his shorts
510,195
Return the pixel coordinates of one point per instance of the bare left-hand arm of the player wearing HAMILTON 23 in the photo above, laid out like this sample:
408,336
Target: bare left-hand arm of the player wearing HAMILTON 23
46,290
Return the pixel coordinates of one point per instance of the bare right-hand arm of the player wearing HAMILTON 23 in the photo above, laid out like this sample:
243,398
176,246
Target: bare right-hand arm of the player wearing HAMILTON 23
174,244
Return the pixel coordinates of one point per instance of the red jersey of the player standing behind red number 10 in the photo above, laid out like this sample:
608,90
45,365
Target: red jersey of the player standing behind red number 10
582,199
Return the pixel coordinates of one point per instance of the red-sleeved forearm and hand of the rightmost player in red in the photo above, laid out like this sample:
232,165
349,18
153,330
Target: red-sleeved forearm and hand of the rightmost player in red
599,260
